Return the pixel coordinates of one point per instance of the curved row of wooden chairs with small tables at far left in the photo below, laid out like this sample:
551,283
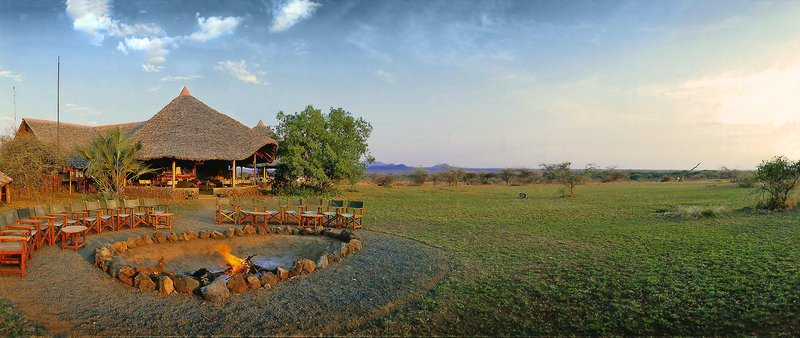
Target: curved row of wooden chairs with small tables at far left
27,230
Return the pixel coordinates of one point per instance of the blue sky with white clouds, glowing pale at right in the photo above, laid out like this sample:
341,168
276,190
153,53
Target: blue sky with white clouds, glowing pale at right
631,84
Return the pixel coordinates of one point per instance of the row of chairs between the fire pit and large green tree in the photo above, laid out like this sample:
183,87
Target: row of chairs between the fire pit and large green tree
285,211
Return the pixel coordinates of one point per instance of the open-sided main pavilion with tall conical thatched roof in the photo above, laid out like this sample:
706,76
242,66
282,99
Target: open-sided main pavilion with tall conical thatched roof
204,143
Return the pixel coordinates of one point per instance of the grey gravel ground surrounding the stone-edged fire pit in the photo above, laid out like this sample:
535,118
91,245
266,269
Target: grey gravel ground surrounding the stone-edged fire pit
64,292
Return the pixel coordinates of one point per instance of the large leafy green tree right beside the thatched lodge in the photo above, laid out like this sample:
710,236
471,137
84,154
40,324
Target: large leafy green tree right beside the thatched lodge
322,148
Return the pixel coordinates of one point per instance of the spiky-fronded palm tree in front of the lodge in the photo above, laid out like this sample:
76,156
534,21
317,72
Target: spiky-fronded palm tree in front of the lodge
111,160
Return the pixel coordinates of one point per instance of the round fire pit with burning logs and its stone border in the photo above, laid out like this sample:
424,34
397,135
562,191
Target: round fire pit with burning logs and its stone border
214,265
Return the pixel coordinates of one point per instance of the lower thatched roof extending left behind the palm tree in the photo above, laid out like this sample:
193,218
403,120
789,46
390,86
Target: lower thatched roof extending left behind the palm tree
71,135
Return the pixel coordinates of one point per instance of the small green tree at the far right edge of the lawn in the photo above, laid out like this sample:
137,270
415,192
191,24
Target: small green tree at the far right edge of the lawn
779,177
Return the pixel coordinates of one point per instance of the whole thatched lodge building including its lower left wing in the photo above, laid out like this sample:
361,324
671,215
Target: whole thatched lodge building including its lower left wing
188,143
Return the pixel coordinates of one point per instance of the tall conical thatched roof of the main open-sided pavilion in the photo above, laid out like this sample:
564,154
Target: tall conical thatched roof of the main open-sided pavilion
188,129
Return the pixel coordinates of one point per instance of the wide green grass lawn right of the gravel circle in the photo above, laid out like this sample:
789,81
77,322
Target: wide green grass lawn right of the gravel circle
612,260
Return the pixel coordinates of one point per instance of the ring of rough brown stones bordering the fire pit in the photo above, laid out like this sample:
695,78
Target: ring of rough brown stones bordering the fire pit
156,278
